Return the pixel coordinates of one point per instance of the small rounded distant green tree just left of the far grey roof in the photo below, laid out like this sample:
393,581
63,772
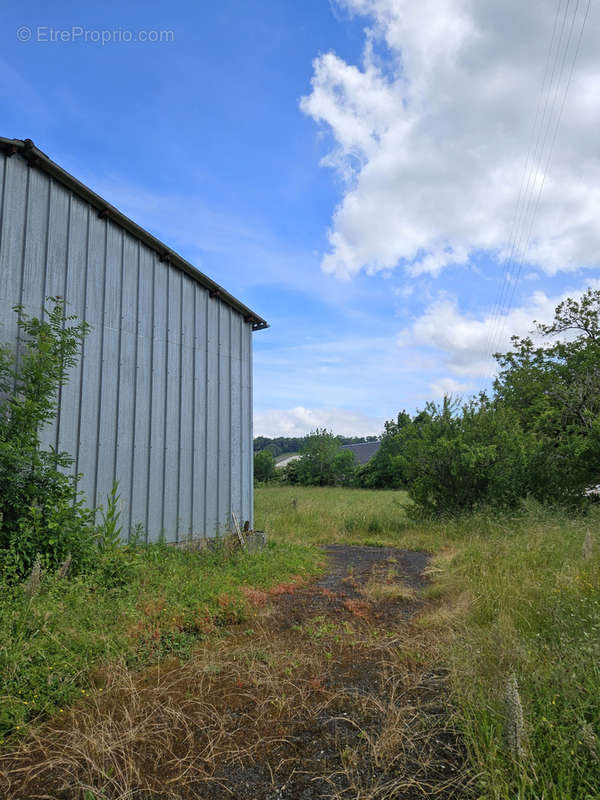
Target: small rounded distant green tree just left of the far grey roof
323,462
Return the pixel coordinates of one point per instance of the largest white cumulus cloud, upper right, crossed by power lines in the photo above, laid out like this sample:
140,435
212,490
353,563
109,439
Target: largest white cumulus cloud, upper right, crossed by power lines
431,133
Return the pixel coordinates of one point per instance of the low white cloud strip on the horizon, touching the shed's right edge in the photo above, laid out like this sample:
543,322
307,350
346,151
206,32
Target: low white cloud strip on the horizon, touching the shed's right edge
300,421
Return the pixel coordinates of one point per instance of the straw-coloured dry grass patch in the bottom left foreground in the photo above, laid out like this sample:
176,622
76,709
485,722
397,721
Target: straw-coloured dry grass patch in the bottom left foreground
166,728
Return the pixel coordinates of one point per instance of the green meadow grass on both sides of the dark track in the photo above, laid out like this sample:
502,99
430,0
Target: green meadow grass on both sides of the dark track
511,616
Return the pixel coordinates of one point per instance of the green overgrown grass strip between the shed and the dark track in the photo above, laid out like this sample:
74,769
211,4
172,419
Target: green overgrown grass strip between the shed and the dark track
56,645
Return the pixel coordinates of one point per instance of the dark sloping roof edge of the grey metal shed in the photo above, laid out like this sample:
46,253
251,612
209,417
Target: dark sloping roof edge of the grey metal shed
36,158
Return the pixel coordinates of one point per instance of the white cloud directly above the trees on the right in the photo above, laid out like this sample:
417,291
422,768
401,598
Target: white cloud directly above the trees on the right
466,340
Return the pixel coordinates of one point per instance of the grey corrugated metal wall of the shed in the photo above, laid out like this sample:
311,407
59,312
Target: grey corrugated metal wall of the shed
161,398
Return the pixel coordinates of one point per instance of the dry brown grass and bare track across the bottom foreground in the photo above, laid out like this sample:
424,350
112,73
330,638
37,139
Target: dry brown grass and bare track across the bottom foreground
356,717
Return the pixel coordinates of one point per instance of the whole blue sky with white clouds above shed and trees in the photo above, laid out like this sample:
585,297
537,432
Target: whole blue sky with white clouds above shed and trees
358,172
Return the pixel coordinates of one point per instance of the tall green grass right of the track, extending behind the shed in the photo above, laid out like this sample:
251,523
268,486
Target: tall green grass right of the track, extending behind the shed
512,599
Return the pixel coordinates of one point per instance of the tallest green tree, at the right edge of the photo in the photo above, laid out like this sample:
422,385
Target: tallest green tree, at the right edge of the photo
554,389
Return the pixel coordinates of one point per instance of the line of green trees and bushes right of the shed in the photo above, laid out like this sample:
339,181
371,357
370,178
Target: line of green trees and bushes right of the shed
536,434
